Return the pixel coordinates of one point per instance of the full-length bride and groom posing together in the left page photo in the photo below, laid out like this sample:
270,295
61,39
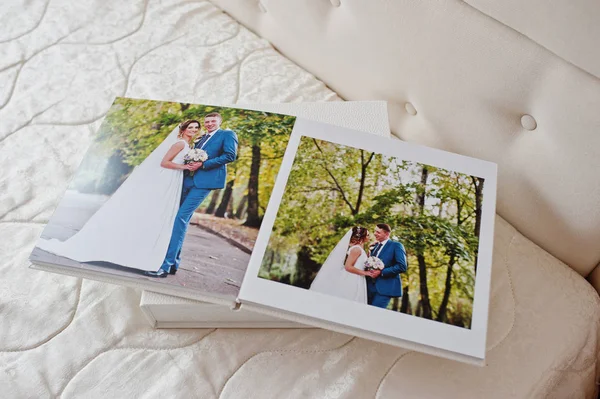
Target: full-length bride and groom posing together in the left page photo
143,224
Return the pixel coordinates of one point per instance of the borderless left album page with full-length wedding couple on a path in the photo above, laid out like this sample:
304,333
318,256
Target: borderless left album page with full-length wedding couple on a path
170,196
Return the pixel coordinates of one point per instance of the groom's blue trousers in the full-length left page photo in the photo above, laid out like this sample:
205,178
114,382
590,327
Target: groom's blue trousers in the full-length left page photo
191,198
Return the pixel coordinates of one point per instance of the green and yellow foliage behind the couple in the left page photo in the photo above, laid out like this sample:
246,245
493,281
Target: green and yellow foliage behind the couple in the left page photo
133,128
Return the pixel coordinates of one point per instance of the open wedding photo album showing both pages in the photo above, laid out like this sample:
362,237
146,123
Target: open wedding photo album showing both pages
287,217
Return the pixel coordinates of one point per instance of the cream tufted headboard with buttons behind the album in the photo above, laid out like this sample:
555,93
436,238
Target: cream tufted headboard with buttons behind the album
460,80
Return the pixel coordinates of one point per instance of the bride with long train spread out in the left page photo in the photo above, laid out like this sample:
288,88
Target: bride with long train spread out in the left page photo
134,226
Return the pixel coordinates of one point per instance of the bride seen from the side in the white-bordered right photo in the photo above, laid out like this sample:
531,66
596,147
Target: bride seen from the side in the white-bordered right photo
345,279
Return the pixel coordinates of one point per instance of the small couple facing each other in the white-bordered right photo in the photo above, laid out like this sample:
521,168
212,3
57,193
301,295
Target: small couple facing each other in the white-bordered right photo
348,278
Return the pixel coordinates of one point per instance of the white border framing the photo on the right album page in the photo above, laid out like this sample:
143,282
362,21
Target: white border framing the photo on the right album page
387,326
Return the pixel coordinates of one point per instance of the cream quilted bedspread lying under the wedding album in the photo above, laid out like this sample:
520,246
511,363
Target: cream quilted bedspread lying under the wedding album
62,63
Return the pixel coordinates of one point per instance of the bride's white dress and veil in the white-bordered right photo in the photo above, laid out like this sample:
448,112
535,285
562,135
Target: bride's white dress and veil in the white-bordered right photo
333,279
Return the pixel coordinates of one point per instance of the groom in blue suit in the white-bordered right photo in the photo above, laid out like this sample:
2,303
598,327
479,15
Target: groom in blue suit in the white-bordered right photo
386,284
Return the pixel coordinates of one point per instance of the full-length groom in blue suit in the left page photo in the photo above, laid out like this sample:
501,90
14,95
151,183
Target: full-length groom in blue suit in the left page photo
221,147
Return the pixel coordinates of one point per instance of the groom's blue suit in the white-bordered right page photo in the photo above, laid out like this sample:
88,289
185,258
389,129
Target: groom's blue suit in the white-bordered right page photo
389,283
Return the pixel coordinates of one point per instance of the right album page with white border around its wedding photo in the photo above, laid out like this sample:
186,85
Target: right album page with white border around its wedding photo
379,235
